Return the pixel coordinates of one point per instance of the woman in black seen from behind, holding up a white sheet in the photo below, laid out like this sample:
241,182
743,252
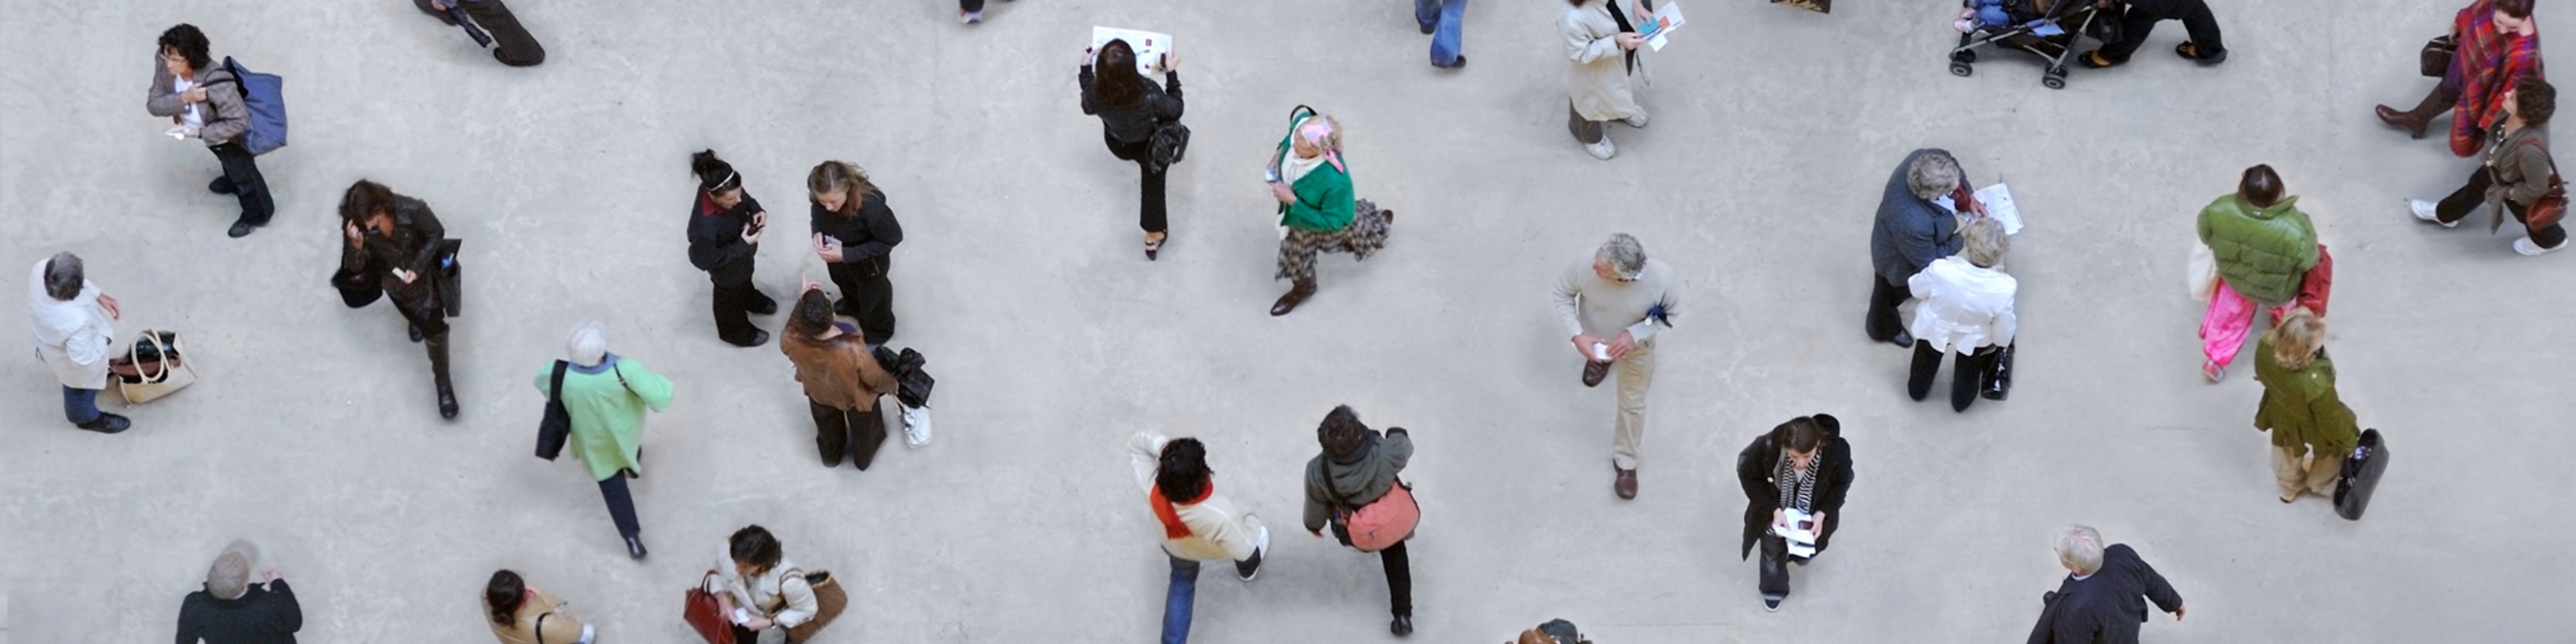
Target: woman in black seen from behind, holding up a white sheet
1132,109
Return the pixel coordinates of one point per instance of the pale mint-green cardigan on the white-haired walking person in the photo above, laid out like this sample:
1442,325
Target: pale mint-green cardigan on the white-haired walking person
609,416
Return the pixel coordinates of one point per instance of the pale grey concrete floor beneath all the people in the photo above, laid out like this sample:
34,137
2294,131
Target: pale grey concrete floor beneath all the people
316,431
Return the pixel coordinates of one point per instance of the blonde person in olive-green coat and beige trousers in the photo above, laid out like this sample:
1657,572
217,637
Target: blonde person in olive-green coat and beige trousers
2312,429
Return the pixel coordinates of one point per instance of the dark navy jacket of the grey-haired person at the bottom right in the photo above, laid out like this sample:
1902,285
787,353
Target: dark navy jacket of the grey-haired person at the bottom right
2108,607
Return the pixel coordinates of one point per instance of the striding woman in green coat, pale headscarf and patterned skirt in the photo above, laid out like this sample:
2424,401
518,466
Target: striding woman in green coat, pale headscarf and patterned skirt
1318,207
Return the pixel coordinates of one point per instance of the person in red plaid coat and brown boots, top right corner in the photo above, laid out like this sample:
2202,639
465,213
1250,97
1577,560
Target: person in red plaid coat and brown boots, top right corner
2497,48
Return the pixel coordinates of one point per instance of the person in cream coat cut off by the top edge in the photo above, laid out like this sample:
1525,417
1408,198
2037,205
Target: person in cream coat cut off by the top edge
1601,43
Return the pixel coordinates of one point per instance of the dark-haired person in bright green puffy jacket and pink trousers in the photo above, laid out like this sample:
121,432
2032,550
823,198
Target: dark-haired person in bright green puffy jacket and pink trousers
2263,249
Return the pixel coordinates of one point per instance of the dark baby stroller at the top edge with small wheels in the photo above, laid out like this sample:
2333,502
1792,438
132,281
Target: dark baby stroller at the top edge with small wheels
2041,27
